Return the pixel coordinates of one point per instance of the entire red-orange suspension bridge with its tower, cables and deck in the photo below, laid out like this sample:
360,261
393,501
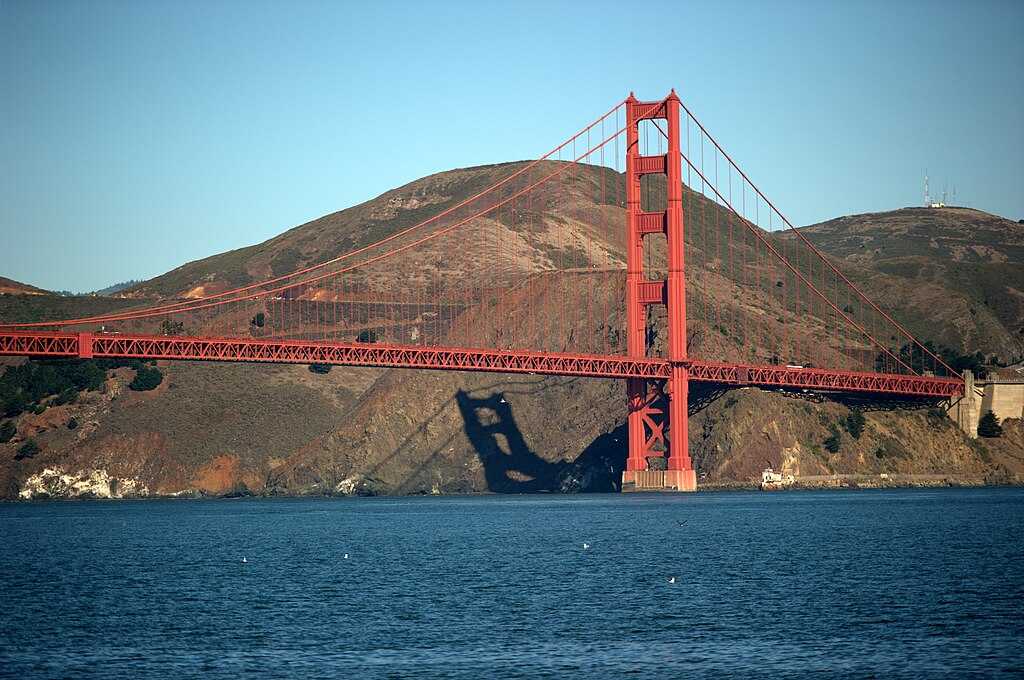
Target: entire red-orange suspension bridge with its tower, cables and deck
672,236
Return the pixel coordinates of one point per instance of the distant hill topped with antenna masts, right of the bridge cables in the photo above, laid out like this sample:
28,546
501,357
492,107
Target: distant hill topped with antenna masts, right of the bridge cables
953,275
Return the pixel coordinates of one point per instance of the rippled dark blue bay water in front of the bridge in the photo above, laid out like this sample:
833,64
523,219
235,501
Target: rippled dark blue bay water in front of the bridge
888,583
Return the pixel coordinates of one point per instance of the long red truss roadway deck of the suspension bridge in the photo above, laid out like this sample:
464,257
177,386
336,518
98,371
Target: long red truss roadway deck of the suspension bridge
89,346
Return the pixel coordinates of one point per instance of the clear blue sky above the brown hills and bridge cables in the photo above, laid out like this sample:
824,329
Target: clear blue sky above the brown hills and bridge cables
141,136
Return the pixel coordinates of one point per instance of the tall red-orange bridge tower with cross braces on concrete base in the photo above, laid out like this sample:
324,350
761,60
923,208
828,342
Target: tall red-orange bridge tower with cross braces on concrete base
647,420
